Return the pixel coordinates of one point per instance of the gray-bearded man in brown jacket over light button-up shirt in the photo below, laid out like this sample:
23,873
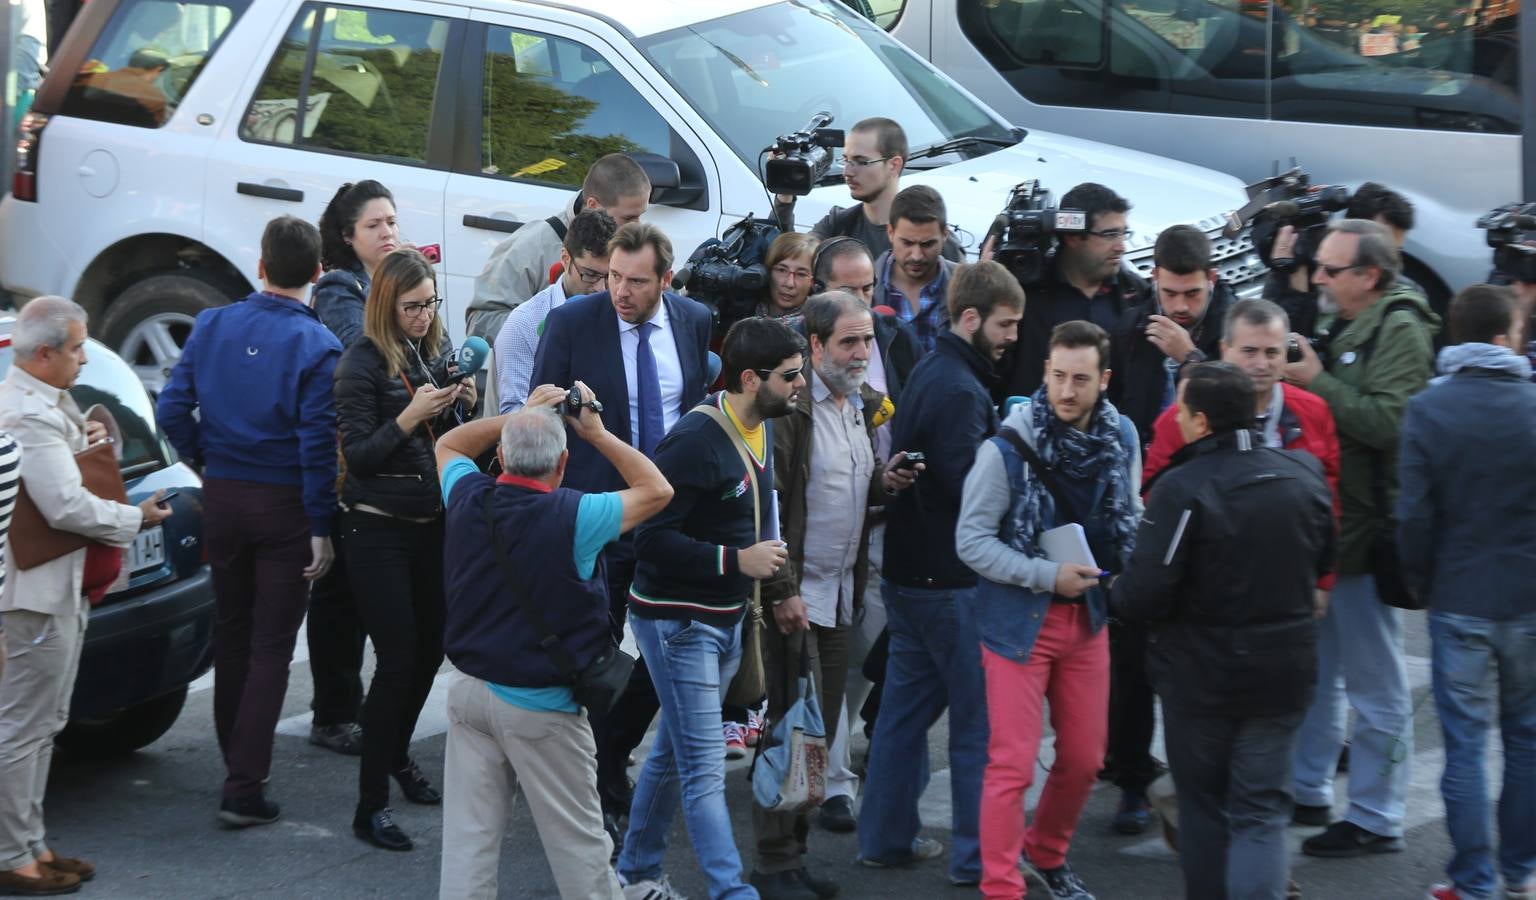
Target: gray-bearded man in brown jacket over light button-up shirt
826,472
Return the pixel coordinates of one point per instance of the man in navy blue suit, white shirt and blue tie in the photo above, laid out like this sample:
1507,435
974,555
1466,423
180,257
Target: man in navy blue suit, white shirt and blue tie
643,351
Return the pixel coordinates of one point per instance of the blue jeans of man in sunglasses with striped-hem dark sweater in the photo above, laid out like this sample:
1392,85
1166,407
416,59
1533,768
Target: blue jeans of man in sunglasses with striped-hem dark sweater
692,664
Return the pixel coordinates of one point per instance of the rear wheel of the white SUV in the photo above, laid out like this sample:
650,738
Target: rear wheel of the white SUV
151,320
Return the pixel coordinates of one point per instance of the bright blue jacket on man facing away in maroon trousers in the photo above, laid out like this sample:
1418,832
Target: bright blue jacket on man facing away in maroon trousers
259,374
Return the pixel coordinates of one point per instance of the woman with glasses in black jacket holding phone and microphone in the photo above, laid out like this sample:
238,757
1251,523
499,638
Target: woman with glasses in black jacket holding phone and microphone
392,402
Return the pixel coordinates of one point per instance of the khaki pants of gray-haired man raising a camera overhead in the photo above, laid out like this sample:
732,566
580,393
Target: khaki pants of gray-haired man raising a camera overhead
495,749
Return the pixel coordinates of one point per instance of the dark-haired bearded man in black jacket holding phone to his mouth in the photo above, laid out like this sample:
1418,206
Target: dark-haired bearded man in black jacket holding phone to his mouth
1180,326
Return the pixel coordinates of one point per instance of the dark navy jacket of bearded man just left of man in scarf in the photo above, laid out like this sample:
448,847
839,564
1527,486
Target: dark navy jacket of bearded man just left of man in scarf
947,414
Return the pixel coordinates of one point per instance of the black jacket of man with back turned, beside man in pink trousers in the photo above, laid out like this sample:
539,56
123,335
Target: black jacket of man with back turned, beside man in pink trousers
1228,557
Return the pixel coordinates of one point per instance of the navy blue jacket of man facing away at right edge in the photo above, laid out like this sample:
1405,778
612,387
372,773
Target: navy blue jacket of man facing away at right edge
1468,500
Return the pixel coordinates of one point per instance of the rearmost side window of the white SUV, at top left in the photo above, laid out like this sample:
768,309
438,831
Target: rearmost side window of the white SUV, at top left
148,58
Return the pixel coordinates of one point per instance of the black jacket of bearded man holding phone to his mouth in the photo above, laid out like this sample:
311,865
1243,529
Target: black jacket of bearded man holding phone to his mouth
1140,376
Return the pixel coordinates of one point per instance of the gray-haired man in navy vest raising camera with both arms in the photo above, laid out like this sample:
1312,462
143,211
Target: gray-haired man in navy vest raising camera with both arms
511,709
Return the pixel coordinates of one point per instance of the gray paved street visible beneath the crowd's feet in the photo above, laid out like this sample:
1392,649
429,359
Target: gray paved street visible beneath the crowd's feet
150,826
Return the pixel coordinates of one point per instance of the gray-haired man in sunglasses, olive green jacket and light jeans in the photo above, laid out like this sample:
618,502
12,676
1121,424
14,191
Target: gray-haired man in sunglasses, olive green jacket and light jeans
1382,354
